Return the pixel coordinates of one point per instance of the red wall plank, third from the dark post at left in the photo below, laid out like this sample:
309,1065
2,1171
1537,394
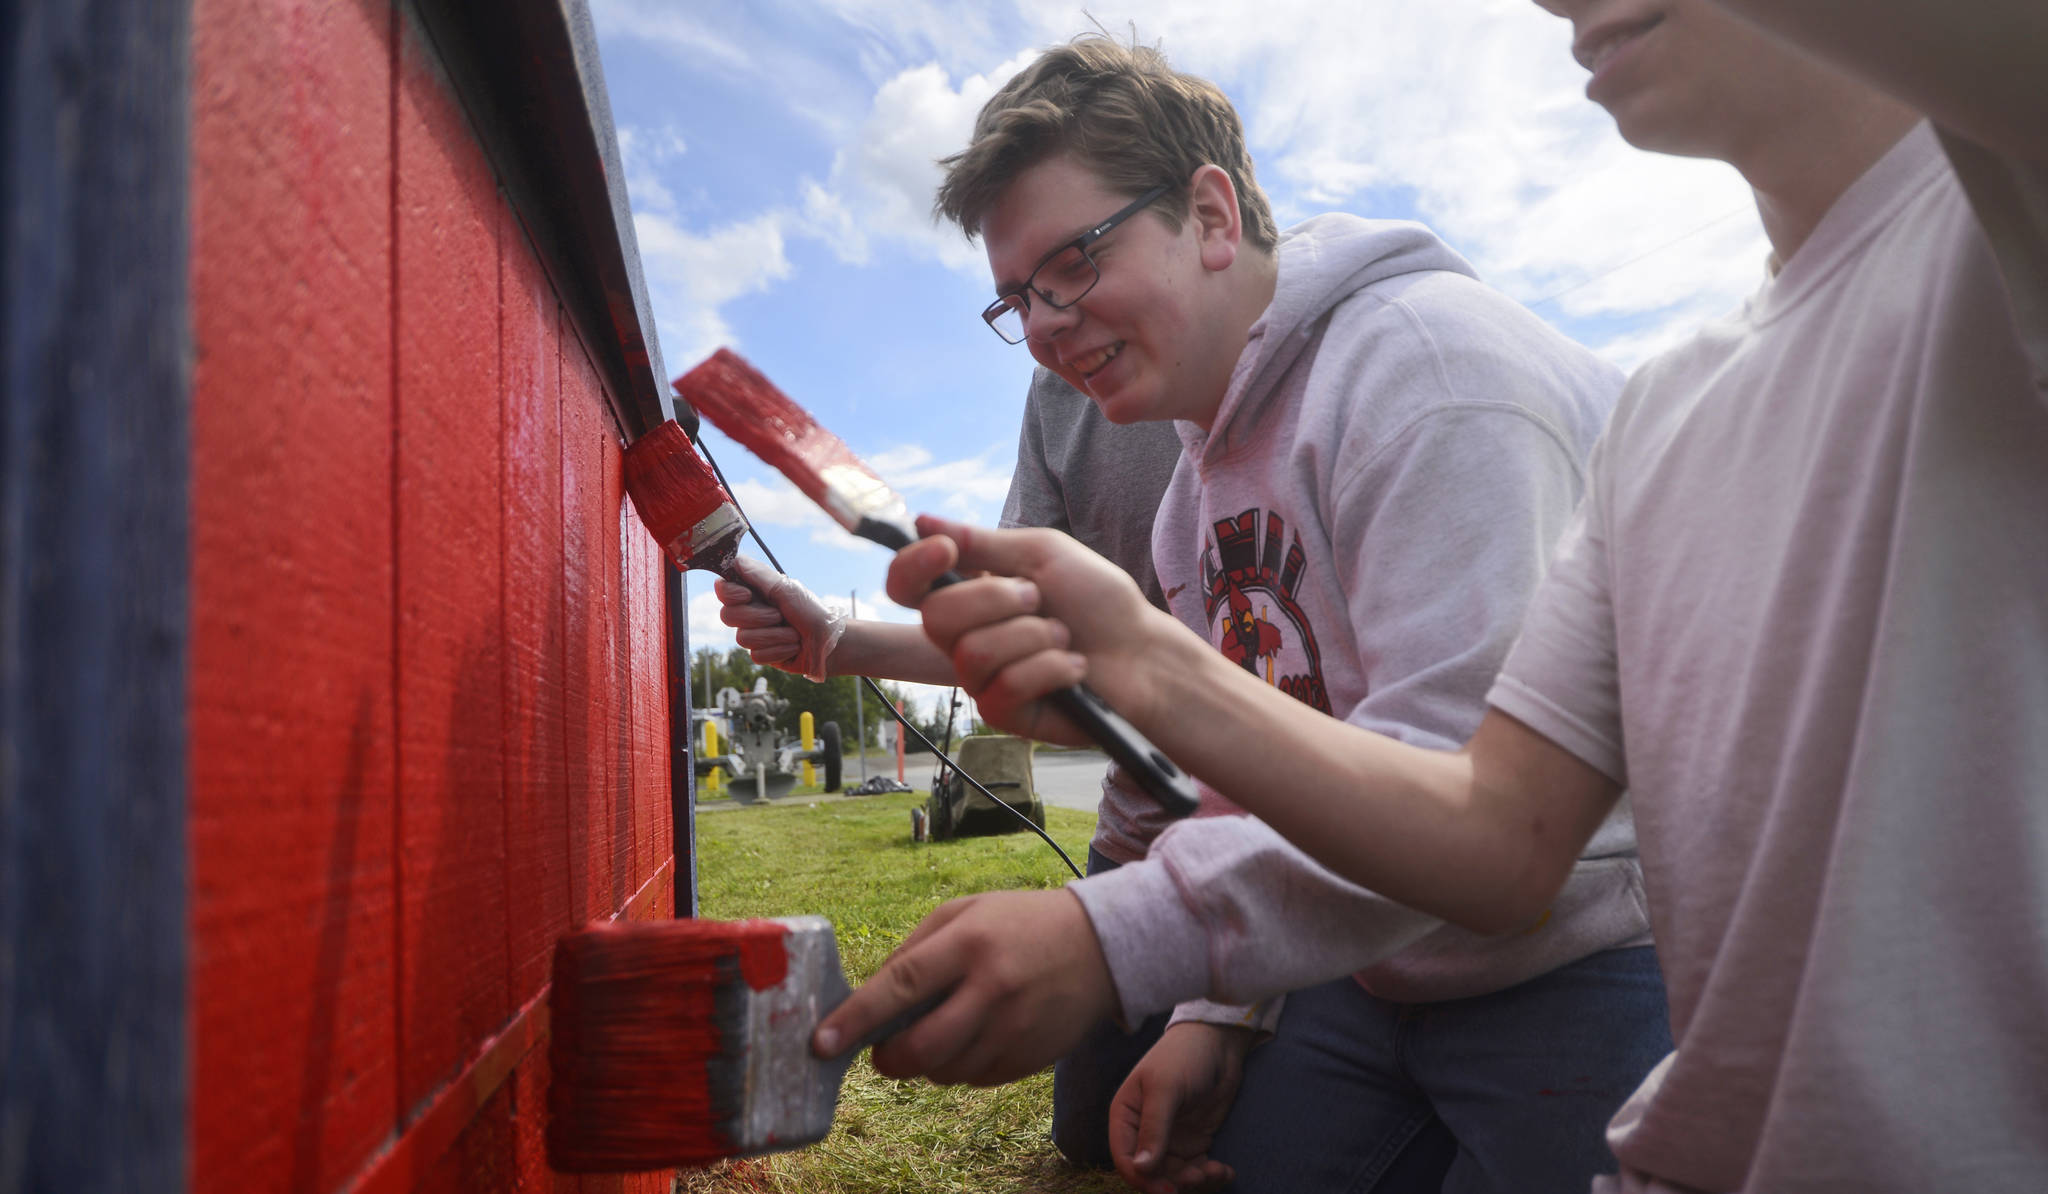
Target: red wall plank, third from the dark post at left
538,820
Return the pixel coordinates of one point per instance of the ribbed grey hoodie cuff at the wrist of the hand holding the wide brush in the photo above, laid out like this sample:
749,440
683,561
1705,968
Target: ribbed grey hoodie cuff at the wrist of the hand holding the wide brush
1154,945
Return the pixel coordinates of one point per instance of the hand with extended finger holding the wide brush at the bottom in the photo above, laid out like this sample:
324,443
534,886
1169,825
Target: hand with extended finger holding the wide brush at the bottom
1027,982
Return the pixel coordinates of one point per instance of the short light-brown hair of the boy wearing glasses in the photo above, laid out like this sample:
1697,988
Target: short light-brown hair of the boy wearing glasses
1121,112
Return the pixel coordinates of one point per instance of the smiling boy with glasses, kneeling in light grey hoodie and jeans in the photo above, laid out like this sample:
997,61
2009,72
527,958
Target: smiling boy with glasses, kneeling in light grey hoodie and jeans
1377,458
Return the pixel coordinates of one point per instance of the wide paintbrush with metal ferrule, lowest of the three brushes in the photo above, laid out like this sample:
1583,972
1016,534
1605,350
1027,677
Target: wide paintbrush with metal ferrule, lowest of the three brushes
689,1041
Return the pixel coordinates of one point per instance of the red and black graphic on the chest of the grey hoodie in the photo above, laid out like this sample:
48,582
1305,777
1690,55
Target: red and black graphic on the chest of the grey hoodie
1248,595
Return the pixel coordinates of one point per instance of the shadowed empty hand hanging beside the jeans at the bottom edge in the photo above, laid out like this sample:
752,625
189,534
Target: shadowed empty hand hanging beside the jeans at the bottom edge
1172,1105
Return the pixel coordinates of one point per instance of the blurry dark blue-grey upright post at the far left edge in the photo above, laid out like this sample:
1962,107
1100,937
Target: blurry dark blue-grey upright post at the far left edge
95,345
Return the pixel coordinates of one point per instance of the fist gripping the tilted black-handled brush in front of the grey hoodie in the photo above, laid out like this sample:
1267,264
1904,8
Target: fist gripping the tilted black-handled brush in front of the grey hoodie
1052,615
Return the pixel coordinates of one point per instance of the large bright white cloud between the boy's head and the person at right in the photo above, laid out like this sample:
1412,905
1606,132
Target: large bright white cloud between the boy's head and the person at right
1476,112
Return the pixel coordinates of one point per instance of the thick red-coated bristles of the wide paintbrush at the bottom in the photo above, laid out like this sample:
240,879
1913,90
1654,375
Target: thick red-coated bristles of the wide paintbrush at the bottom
648,1056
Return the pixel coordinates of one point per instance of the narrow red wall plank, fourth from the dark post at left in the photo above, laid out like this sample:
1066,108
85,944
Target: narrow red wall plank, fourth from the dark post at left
589,521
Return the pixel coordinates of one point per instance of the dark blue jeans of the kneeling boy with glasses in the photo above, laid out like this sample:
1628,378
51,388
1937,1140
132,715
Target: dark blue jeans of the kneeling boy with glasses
1498,1093
